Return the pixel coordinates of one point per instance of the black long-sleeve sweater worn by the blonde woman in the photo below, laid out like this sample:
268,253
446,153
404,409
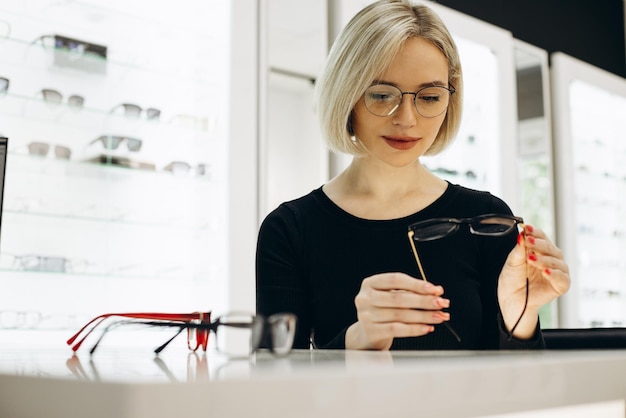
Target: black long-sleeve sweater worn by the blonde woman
312,257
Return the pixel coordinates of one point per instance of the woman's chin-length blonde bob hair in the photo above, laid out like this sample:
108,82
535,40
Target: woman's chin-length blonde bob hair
363,51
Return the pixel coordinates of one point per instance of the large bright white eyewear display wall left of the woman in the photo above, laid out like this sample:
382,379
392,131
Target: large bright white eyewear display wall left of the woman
134,218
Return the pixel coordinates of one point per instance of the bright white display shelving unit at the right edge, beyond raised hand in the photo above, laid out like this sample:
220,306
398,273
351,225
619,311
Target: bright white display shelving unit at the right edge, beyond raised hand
591,169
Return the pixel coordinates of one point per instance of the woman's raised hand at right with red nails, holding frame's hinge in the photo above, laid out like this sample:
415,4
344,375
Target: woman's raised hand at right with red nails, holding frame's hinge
537,258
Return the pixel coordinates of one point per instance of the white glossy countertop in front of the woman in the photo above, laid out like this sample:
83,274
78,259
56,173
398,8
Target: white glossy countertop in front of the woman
134,383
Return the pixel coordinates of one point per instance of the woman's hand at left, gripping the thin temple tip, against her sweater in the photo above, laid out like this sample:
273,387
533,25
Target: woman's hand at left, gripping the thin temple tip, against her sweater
391,305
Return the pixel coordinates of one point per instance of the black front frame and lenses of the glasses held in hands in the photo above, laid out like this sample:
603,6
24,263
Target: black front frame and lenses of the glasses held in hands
485,225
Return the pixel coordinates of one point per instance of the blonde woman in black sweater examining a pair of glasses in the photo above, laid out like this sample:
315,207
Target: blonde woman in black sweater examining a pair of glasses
340,258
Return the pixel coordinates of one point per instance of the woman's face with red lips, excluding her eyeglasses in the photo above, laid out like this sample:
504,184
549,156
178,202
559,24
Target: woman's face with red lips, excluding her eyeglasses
400,139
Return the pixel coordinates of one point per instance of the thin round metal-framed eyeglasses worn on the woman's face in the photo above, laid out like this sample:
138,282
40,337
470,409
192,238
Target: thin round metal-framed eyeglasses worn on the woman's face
385,99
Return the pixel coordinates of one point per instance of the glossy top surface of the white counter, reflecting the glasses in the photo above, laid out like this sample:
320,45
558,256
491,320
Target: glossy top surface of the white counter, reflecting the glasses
178,365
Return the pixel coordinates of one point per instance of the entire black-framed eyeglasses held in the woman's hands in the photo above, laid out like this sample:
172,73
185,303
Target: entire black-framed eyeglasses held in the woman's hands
489,225
